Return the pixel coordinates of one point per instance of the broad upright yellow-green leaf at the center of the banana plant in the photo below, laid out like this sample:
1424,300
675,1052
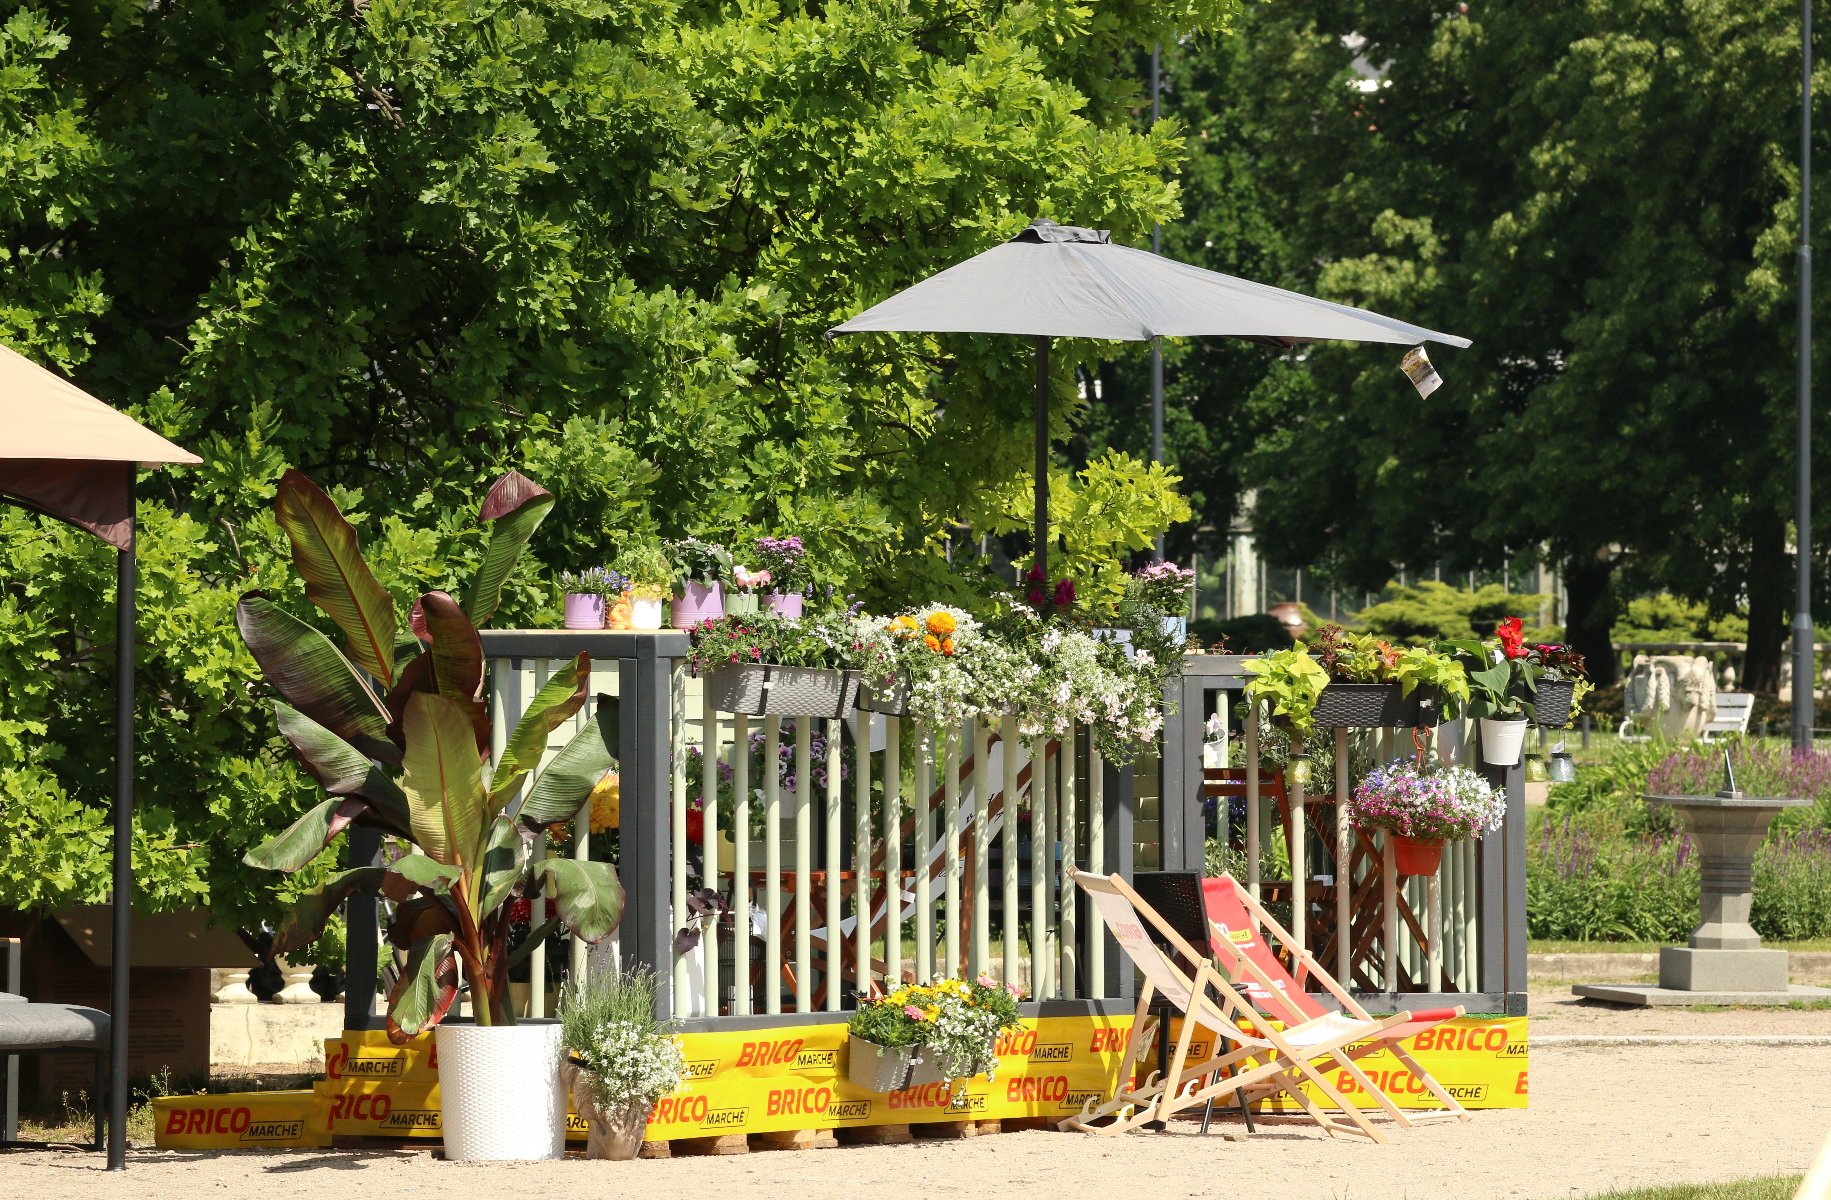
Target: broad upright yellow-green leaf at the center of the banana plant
444,781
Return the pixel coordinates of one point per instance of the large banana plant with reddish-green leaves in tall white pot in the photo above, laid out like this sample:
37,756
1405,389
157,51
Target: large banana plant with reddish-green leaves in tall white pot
400,737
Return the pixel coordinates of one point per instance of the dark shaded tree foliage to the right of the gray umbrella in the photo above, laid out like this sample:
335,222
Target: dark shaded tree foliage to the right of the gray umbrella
1603,197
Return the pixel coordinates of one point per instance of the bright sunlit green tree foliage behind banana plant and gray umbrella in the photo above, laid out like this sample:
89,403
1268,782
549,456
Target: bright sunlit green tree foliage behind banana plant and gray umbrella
409,245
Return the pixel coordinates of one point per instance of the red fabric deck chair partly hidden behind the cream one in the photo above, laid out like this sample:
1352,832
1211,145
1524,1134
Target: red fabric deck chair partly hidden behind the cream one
1239,930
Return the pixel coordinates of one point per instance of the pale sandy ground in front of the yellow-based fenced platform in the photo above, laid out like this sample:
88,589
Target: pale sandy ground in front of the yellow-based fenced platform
1601,1117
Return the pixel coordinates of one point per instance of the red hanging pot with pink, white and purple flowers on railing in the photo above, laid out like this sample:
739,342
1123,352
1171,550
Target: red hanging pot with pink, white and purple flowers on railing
1422,809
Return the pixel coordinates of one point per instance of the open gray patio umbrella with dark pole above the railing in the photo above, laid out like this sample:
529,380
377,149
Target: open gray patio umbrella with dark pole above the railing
1063,281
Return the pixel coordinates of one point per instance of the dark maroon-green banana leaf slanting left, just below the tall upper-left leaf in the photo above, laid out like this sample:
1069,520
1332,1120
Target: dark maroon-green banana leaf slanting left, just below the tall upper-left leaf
314,677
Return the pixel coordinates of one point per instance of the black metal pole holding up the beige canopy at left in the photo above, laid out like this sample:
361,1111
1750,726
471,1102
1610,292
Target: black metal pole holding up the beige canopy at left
120,966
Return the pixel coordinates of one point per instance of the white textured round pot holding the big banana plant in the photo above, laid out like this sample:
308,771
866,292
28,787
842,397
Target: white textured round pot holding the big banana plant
501,1093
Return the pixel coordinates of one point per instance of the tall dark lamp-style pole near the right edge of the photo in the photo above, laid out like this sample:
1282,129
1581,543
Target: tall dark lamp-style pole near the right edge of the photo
1804,670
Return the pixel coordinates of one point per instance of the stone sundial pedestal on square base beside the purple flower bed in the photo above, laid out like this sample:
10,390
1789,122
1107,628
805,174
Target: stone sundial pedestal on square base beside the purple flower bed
1726,961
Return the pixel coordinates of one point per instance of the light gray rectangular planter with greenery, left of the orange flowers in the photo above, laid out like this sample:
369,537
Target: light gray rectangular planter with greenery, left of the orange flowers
774,666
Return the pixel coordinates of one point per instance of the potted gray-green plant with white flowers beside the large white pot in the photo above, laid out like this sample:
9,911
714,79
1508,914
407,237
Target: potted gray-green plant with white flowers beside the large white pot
620,1060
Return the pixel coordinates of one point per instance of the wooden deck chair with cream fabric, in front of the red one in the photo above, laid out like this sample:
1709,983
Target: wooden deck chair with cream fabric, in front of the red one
1251,1056
